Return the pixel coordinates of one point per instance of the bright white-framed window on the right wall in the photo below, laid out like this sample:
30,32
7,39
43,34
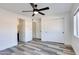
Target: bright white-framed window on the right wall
76,23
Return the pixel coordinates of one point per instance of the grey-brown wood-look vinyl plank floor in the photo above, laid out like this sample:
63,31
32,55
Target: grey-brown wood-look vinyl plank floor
38,48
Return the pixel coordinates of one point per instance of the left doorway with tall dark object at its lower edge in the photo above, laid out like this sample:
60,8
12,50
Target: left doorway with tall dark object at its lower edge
20,30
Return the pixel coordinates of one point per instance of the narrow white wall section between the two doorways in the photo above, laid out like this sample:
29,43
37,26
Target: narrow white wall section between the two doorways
28,29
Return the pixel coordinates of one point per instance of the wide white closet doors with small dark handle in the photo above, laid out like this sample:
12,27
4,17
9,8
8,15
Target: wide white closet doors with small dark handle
53,30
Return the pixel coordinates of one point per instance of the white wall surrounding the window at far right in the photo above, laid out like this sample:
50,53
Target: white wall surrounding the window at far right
75,40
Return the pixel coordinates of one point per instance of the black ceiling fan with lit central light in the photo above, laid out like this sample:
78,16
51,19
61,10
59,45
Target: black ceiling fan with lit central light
35,10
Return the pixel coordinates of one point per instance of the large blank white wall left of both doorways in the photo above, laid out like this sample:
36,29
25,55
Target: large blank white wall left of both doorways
8,36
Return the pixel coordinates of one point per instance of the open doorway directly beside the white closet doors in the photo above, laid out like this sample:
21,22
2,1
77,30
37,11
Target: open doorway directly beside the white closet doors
36,29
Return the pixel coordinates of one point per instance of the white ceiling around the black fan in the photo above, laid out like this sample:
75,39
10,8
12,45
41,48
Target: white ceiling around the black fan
54,7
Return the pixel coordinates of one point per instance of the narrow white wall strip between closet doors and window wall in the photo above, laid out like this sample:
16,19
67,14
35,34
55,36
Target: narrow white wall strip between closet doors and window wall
67,29
